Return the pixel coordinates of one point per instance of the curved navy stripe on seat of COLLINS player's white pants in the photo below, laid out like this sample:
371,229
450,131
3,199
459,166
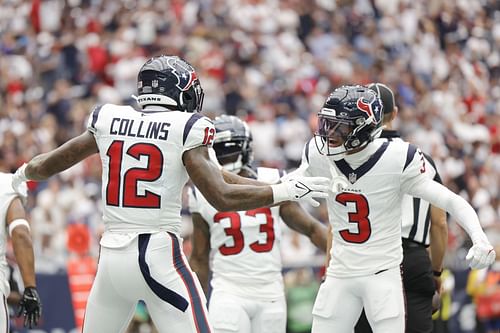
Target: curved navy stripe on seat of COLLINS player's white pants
167,295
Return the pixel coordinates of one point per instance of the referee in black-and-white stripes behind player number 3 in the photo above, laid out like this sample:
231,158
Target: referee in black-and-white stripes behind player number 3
423,225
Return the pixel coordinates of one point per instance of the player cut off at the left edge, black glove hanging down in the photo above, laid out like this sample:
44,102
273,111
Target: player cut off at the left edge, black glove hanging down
15,226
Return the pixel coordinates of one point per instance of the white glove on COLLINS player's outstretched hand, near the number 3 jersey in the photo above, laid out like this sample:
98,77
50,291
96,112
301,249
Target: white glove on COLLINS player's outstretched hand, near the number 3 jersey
301,189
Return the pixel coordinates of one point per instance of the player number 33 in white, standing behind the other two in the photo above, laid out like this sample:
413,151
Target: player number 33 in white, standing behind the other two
247,284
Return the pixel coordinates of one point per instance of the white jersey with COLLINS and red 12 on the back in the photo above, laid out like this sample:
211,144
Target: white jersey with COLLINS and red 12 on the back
142,169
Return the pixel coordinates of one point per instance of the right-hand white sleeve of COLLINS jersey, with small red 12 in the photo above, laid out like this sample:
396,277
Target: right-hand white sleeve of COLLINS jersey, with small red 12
198,131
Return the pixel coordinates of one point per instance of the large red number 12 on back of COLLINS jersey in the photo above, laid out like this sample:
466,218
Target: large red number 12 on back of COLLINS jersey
132,176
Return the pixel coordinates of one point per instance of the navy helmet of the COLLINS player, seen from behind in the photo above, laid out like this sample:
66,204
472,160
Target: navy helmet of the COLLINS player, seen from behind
169,81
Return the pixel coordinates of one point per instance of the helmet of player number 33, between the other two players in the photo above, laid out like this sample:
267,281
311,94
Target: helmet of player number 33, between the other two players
233,143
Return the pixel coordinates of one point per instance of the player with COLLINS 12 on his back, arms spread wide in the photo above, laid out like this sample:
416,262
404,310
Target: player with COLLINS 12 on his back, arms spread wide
147,157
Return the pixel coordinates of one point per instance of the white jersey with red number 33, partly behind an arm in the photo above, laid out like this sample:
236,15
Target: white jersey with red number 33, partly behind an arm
245,247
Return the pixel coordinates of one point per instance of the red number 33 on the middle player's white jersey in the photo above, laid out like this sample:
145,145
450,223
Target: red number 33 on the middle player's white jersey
234,231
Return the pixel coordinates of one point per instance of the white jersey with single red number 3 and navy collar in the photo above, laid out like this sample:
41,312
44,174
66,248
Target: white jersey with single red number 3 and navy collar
366,215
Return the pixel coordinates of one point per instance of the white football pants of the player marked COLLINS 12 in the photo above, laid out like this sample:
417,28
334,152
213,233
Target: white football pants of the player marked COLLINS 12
154,269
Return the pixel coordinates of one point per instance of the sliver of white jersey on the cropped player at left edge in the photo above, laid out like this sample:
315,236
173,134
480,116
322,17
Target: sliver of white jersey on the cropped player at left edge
7,194
